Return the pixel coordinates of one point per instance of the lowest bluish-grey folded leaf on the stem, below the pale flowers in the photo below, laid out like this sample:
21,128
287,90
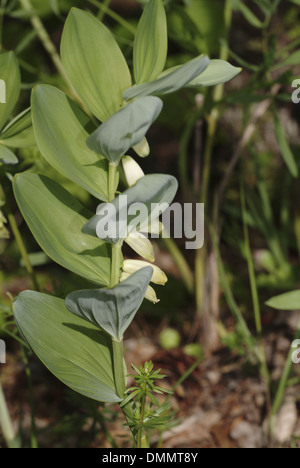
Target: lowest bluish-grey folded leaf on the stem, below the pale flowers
112,309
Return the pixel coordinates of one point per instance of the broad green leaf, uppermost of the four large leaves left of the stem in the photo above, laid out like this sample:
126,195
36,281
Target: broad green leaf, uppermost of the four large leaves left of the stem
94,63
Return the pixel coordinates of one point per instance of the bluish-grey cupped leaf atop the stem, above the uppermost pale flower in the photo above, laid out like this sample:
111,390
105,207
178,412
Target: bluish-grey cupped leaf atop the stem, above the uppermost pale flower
125,129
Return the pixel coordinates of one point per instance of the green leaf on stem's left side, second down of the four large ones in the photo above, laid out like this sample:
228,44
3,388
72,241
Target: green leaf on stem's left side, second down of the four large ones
61,137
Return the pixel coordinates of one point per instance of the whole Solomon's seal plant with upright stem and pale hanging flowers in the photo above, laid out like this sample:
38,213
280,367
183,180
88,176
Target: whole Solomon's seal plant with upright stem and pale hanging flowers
80,339
